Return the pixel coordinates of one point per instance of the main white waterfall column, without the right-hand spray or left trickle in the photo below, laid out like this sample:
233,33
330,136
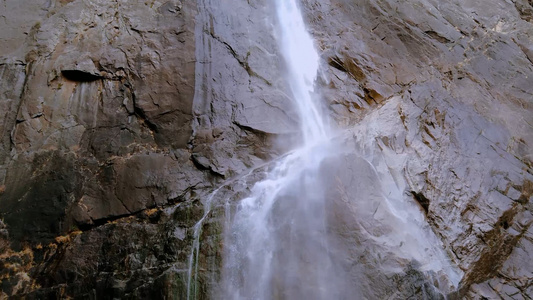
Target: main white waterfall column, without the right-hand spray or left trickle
276,245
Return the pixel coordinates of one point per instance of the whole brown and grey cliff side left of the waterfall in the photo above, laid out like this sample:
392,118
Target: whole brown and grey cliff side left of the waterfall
106,147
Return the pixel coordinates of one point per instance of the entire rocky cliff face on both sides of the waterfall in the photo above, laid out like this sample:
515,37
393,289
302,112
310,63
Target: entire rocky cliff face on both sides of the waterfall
119,118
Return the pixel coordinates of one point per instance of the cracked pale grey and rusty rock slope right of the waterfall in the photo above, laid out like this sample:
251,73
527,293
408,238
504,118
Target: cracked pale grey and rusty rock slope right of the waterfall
449,87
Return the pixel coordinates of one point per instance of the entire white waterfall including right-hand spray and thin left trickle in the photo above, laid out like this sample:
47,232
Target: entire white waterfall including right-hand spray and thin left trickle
325,222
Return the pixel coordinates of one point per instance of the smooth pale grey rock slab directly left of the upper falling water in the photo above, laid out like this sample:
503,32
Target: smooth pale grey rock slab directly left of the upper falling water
240,102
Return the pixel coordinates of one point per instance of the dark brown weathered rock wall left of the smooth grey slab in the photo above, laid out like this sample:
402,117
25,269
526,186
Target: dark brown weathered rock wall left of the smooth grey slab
96,103
